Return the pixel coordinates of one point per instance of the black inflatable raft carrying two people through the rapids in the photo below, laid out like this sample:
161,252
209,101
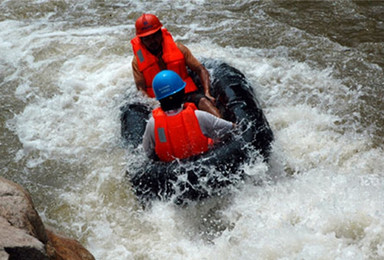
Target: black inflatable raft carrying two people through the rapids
217,171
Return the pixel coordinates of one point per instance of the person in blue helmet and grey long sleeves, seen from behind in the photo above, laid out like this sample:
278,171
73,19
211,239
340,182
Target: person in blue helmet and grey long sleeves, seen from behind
177,130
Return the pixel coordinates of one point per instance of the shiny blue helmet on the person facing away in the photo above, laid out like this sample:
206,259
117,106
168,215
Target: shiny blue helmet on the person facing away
167,83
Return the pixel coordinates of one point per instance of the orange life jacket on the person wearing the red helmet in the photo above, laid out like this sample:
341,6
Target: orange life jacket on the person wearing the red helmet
172,57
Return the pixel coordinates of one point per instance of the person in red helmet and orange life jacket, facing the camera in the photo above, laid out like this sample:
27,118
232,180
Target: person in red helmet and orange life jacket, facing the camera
155,50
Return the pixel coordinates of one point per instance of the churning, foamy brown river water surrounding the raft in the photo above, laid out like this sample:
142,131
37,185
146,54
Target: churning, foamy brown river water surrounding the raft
317,68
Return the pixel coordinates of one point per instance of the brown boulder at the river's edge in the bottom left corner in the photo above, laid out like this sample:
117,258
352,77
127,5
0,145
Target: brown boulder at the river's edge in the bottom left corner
23,234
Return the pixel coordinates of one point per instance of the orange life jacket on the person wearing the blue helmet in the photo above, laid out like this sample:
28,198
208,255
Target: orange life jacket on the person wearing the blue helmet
179,136
